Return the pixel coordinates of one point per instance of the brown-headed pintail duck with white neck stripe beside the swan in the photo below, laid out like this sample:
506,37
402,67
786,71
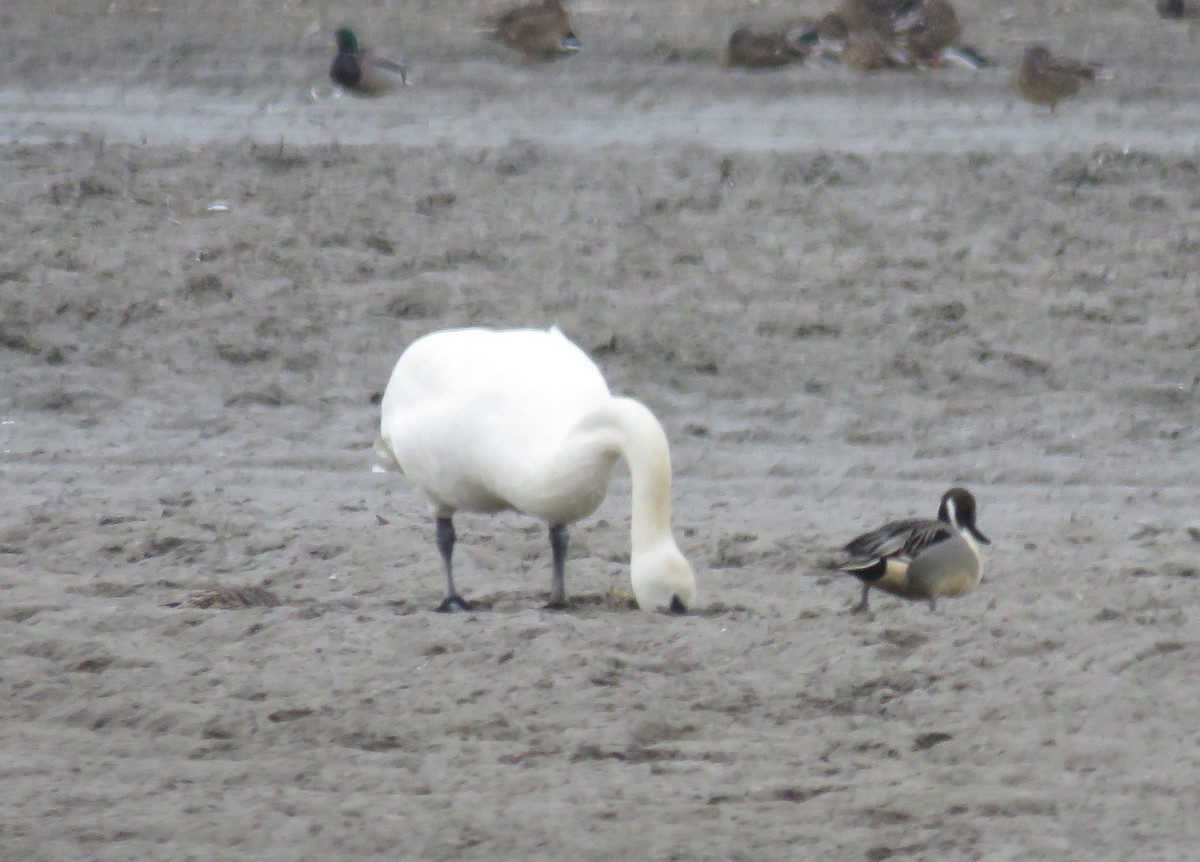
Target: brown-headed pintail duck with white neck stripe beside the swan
921,559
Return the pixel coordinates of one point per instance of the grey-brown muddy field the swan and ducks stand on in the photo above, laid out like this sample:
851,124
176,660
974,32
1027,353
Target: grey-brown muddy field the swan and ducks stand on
842,296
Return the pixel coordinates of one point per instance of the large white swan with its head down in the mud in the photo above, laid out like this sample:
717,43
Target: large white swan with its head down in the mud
488,421
